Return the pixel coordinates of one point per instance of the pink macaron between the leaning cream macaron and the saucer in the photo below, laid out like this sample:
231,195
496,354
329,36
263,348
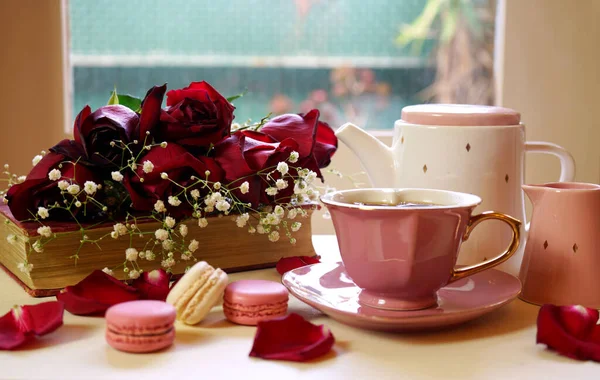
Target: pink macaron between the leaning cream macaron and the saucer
247,302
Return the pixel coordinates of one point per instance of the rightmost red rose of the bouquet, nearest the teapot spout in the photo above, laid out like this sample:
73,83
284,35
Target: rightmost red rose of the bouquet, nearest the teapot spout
315,138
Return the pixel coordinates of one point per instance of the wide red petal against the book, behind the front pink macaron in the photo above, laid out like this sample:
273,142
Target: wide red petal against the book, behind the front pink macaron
96,293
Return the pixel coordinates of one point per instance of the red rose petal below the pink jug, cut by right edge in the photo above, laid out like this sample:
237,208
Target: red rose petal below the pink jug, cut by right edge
557,324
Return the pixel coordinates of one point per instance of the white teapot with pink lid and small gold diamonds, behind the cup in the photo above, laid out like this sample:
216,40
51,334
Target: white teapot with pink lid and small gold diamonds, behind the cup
466,148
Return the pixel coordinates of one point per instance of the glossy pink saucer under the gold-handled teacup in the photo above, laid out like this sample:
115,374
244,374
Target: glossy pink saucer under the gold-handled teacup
327,287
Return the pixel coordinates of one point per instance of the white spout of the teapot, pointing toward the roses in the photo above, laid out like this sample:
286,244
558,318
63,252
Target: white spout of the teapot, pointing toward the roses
375,156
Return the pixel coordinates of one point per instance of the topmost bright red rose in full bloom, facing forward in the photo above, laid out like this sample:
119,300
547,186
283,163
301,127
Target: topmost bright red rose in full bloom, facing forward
196,117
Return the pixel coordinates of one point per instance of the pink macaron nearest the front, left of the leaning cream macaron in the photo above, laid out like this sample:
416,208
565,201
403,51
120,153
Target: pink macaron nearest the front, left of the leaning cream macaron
140,326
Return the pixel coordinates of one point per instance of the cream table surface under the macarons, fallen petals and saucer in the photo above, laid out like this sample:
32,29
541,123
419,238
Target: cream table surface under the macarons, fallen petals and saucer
500,345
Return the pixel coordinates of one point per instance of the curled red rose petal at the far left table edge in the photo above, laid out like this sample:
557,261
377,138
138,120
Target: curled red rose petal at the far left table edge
22,322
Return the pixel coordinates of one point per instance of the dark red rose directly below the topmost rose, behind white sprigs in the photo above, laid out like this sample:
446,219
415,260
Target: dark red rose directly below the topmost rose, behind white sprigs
180,166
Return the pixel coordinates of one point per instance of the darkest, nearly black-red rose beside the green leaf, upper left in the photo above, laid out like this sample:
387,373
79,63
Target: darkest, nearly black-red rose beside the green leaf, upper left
94,131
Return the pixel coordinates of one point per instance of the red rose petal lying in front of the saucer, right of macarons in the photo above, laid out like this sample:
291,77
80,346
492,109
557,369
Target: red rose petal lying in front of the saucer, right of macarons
291,338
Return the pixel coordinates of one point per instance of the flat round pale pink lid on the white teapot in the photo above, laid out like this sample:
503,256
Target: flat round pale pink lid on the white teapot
460,115
